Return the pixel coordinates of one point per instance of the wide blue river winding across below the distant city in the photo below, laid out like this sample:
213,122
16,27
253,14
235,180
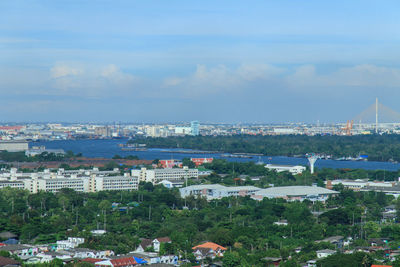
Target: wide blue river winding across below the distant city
109,148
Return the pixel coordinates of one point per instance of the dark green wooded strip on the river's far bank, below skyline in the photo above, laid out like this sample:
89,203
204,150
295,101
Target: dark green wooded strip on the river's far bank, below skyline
377,147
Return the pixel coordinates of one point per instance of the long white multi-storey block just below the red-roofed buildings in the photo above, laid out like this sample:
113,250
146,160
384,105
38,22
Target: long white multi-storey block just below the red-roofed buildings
157,175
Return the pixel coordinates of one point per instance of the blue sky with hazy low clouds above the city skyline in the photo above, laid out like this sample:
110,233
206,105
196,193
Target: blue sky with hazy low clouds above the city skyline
213,61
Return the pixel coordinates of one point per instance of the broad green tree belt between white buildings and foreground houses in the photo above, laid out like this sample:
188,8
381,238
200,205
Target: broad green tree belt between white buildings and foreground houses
242,224
